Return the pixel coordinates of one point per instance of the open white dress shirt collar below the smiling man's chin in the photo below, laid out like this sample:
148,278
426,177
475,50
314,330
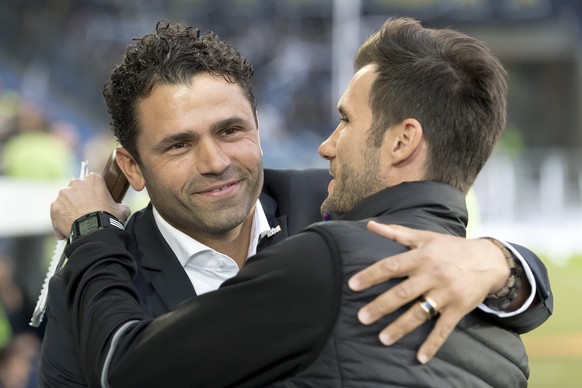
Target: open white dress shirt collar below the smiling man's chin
207,268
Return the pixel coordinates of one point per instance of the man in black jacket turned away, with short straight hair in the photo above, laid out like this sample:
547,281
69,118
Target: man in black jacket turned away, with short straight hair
417,122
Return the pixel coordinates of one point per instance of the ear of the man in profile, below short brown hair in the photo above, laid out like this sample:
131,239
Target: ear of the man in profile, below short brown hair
404,140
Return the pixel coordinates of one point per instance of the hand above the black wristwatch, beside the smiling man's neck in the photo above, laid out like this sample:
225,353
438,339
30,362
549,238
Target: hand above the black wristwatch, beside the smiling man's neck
81,197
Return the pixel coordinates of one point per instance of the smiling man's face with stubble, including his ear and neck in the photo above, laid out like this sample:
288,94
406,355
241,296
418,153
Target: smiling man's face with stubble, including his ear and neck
207,125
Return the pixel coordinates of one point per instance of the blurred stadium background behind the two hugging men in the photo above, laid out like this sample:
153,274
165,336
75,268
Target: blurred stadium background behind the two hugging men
55,56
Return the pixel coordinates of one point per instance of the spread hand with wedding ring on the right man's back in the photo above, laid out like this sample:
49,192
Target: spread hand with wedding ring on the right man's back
453,272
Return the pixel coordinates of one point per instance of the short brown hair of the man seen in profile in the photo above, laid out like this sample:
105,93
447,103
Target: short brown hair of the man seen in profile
450,82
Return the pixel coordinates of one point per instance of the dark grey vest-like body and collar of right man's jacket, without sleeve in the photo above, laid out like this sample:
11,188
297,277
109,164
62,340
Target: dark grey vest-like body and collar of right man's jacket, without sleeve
478,353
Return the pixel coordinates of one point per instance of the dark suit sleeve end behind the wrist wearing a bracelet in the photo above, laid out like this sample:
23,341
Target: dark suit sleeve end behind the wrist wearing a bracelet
543,303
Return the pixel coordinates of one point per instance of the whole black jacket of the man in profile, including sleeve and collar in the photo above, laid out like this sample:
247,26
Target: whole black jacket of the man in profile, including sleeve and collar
281,316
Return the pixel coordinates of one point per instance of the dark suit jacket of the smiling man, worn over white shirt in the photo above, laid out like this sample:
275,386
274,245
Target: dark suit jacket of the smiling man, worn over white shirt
290,198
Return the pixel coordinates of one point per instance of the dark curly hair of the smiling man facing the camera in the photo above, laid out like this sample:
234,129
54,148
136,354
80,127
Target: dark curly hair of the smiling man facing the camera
172,55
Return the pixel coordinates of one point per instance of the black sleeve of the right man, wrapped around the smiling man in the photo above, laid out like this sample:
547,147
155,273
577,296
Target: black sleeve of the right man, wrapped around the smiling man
271,320
